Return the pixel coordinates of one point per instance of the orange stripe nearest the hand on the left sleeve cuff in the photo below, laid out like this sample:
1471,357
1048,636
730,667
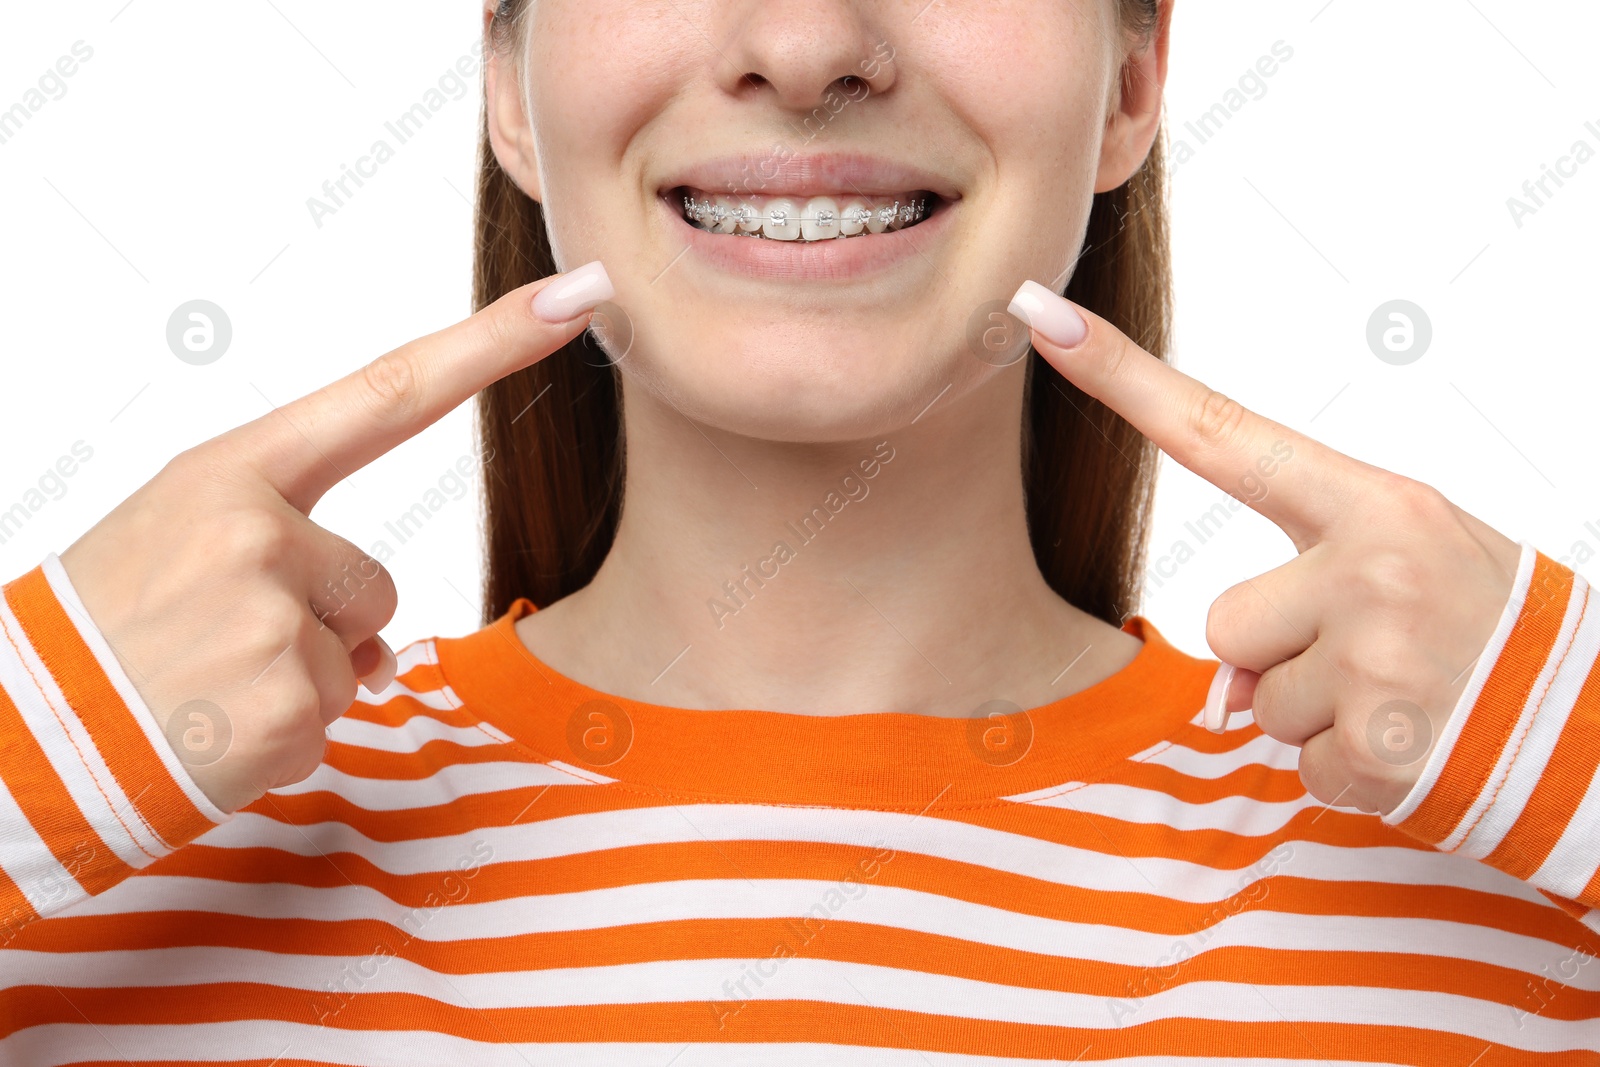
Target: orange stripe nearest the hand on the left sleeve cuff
137,767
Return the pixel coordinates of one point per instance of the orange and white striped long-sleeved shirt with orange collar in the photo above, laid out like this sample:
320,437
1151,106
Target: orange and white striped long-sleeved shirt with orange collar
502,866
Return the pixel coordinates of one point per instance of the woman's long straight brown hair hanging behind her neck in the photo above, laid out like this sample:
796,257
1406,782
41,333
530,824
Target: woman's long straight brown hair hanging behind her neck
553,471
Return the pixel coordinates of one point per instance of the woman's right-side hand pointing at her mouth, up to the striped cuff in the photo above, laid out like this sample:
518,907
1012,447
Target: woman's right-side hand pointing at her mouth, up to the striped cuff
1359,649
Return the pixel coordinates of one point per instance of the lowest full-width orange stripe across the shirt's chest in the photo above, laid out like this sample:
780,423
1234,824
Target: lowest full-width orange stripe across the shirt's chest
862,1026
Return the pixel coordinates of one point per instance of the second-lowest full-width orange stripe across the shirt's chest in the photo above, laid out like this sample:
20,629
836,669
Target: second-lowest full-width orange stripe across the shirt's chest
842,941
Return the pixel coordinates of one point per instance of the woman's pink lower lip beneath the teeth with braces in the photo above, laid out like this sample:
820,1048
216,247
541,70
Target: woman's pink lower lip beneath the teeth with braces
831,260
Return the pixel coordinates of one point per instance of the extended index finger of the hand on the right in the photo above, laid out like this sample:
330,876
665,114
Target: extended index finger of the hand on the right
1295,481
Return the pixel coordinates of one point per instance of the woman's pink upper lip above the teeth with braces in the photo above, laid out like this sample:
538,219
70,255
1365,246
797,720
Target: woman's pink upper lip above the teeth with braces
782,175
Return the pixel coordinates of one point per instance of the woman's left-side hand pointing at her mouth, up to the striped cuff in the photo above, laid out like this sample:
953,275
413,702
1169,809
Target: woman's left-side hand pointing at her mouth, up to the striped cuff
217,591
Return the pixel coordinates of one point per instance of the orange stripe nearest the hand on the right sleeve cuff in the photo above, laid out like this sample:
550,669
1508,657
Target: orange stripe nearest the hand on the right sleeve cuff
1495,713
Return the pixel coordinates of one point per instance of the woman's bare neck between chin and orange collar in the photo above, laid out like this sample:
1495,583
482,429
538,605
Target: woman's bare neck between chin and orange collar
889,573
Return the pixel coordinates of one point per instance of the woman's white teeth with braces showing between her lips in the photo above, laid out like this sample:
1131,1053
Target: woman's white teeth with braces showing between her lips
804,218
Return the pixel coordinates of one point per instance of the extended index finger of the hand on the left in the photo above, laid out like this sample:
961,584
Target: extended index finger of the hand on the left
313,444
